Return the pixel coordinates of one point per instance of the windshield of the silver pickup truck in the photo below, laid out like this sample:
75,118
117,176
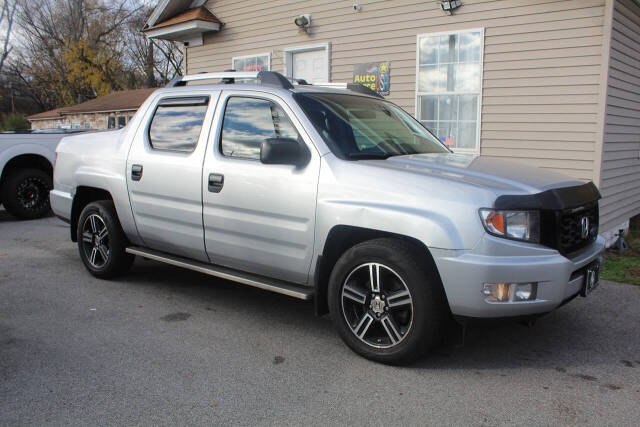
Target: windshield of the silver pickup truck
357,127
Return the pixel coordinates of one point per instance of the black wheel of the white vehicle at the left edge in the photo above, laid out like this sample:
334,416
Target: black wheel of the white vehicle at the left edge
25,193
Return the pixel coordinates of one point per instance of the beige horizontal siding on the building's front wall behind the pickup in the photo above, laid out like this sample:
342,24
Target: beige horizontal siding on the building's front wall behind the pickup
542,62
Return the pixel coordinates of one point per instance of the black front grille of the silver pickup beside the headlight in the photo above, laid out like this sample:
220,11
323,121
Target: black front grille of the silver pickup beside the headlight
570,237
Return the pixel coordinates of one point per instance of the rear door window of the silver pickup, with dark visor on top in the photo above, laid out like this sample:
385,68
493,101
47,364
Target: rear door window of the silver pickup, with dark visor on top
177,123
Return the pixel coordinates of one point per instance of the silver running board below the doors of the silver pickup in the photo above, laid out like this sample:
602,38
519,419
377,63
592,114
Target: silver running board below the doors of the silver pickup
286,288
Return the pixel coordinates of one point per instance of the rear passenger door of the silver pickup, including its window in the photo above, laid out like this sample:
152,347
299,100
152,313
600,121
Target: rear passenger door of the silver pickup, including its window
164,173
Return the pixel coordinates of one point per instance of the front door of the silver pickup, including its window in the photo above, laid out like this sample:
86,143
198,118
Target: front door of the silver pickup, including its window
258,218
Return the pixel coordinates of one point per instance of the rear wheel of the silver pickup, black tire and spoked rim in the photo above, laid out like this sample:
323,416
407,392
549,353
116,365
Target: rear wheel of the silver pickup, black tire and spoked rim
102,242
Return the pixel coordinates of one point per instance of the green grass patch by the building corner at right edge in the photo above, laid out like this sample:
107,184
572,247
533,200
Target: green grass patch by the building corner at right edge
625,267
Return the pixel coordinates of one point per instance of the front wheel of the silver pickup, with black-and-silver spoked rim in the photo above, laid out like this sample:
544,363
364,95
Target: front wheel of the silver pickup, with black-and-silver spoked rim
386,301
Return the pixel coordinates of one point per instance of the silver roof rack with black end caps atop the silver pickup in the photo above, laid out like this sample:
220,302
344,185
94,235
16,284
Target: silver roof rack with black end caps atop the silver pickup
267,78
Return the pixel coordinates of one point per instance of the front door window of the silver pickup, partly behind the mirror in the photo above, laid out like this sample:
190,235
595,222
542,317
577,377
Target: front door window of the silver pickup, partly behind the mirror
248,122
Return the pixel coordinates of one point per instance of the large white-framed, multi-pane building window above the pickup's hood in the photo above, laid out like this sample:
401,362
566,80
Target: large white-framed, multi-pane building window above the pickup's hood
449,86
